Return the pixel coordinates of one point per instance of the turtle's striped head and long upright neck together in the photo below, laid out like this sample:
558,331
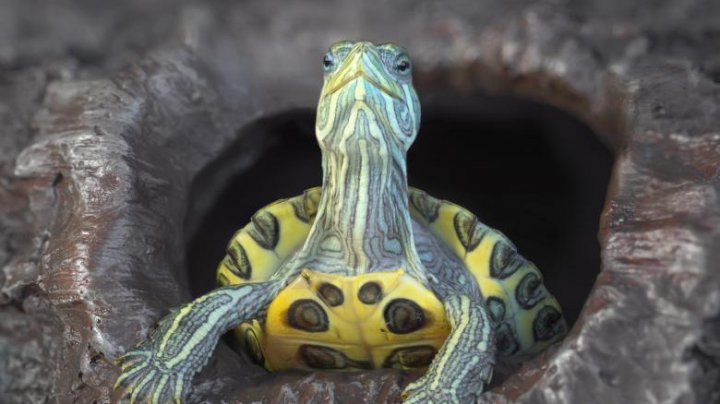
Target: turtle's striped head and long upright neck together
368,116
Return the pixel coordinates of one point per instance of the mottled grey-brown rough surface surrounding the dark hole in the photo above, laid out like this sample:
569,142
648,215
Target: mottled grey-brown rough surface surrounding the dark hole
108,114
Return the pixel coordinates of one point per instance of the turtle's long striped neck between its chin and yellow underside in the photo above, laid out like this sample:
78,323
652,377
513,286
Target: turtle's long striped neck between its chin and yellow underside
363,222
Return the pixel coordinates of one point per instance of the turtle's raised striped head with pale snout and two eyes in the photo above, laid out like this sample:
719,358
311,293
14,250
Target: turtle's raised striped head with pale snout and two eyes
367,86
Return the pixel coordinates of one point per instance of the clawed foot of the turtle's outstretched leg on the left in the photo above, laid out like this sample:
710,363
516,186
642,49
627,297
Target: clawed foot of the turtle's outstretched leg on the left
146,380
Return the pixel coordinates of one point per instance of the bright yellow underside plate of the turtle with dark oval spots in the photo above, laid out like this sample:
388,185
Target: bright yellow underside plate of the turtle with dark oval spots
369,321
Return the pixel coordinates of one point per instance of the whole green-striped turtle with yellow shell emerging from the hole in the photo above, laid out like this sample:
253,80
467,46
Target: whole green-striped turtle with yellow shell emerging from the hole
363,272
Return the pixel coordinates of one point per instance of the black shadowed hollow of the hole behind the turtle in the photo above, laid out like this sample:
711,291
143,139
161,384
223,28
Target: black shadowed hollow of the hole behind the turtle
530,170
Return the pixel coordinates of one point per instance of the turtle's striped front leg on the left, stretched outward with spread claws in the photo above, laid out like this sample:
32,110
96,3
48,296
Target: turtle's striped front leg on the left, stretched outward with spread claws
163,366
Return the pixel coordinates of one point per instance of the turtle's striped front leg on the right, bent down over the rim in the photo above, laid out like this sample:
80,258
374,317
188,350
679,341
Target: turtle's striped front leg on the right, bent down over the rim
465,362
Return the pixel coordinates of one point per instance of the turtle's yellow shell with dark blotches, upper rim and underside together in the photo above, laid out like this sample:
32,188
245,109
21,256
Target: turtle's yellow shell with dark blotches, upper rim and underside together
382,319
